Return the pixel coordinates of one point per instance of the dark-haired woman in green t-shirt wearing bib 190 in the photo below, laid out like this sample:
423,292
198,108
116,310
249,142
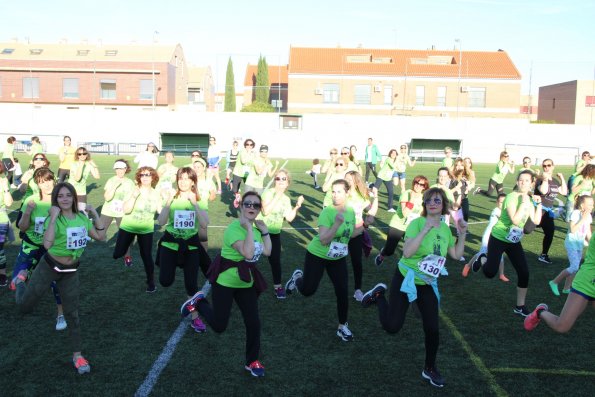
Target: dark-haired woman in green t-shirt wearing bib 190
180,245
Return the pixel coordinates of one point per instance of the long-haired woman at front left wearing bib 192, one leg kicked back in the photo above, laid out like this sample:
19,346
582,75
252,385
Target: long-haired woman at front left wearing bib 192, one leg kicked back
66,233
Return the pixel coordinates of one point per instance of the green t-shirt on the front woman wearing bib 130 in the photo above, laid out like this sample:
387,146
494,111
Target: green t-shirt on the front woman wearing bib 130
436,242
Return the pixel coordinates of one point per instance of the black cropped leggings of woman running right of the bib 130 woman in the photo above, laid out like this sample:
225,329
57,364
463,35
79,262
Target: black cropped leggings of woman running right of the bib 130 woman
515,254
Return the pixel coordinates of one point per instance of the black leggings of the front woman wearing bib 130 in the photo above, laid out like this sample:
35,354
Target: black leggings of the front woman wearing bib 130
392,314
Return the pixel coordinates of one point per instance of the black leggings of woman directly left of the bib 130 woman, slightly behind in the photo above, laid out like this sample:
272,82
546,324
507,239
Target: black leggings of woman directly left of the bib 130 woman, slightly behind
337,271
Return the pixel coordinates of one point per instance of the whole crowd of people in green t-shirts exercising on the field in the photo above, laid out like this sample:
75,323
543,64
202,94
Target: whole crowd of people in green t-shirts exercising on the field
55,223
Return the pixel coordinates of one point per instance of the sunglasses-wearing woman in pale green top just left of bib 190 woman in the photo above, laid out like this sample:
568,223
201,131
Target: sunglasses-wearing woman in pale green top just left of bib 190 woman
139,221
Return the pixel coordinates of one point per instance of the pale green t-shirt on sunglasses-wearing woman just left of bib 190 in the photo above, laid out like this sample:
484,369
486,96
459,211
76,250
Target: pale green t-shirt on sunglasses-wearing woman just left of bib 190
142,218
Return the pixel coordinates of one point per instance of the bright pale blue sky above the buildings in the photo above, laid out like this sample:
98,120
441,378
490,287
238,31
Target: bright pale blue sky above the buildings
556,37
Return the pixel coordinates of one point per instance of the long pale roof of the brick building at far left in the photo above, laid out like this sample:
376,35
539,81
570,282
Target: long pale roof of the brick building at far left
86,52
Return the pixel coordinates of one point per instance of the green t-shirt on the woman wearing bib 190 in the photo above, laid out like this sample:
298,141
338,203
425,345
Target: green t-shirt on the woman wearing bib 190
182,222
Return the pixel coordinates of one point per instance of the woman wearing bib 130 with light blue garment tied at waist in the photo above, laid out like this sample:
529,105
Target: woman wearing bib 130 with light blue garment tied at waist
427,242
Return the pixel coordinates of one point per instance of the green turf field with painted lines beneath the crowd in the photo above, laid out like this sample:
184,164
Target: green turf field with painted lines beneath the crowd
484,349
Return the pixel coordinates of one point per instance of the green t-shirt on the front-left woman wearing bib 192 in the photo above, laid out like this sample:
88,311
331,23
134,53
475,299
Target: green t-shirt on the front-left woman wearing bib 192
71,235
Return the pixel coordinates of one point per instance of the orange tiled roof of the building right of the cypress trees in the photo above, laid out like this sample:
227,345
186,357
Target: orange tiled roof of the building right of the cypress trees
383,62
